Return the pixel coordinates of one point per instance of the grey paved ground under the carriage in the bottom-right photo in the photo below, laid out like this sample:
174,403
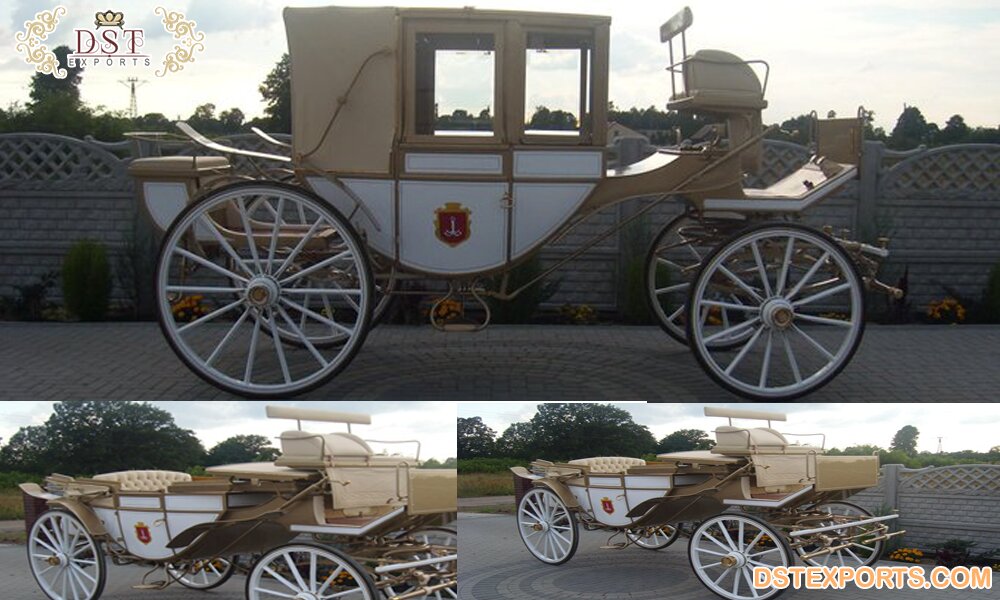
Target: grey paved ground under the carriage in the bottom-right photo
494,565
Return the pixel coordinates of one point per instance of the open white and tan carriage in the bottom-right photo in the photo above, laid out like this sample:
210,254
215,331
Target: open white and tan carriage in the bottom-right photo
754,500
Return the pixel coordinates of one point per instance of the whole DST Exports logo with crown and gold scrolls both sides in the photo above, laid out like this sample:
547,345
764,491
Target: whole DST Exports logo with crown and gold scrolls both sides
110,43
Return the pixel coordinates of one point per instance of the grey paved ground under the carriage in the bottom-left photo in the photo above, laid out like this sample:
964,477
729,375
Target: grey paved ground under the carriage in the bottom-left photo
16,582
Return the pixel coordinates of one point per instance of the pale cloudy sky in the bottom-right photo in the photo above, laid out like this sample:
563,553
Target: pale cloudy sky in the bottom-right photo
961,426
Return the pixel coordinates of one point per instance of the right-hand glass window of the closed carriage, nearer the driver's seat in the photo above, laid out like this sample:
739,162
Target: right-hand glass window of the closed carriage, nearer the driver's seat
557,84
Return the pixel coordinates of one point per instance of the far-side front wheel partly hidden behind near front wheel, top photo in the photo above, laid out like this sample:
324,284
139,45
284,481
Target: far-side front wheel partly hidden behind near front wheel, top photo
672,262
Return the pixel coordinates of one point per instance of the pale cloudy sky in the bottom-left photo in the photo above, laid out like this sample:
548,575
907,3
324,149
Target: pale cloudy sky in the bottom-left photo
433,423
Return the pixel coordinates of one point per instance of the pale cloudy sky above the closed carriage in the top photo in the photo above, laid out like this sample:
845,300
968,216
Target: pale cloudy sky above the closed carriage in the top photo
938,56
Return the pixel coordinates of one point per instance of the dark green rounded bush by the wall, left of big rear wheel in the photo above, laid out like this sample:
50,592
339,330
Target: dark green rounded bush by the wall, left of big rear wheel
87,280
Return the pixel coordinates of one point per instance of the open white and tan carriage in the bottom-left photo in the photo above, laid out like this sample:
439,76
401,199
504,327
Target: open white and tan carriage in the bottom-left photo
327,519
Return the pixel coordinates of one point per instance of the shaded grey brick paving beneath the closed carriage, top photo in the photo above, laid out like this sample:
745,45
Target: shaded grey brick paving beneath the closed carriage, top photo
57,361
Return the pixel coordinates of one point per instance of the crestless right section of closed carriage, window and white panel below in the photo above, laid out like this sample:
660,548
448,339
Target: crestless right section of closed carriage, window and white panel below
560,157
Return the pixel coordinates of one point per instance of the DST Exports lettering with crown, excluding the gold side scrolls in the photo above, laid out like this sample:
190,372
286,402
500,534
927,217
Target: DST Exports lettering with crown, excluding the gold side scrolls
109,43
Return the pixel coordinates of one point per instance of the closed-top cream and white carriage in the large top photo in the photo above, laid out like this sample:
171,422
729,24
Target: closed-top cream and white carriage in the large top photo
268,285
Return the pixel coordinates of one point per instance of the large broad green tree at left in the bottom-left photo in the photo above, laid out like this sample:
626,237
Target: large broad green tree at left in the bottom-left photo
87,437
